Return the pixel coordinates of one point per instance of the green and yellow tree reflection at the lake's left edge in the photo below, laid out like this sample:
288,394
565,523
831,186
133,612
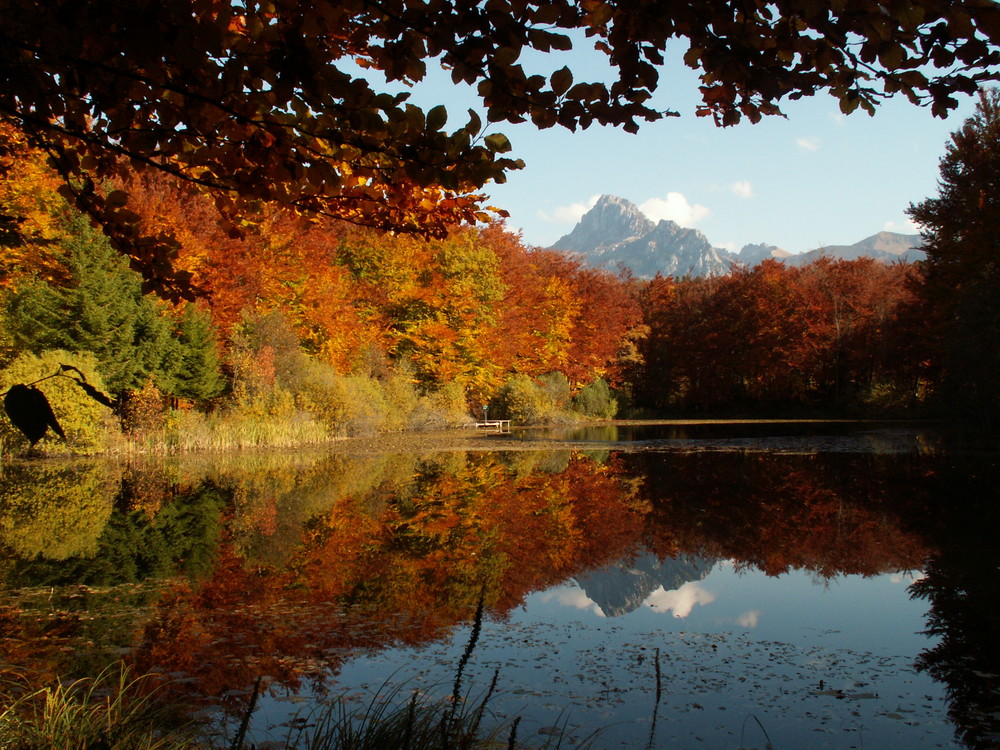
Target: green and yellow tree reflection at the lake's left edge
76,605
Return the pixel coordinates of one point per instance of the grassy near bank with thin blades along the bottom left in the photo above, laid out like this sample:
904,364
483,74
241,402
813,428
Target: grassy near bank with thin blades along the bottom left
118,710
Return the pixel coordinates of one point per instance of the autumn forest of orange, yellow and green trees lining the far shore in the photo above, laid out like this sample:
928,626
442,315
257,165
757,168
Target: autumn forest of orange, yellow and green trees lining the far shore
311,329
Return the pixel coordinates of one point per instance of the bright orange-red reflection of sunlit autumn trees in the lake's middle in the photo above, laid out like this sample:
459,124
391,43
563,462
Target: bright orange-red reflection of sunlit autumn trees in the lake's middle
395,563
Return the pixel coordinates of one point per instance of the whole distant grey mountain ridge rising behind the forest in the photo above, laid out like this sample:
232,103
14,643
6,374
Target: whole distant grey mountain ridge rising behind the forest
615,234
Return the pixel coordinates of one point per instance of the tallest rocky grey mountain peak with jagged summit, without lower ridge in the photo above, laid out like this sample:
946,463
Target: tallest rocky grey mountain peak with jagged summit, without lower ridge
615,233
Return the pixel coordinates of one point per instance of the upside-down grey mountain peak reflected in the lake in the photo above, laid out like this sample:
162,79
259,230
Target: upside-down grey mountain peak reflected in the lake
622,587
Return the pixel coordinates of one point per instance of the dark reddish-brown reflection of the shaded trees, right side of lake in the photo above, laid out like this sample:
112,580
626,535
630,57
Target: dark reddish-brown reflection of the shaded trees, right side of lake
835,514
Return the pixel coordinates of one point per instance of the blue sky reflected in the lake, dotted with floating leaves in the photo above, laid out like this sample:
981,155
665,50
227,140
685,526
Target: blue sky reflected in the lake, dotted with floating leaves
817,663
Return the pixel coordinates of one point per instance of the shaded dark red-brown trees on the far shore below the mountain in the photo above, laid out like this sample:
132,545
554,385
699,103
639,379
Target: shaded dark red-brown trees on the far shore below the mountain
833,333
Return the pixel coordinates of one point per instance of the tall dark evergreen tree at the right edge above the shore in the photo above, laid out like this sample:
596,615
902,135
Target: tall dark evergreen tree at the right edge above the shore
961,282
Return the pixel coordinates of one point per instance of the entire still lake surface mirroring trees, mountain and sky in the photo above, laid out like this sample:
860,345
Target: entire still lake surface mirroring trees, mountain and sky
779,577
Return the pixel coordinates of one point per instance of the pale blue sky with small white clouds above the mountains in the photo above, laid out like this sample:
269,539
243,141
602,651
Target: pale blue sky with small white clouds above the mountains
814,178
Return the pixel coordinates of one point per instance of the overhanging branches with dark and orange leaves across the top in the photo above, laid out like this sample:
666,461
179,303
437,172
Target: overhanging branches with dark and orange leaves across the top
289,102
